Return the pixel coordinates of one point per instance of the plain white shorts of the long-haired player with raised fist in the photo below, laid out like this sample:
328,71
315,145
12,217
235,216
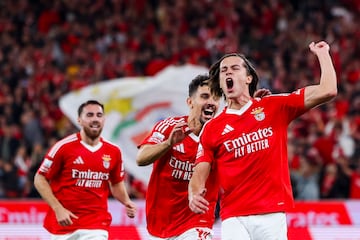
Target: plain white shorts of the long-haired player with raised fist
255,227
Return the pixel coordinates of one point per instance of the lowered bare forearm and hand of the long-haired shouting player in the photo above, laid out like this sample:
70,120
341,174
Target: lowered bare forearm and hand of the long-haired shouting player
197,190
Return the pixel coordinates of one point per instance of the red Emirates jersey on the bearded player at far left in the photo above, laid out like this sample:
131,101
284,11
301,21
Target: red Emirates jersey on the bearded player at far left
79,177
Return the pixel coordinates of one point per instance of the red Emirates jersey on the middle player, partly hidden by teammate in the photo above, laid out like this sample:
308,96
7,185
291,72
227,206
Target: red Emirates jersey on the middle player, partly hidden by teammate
167,205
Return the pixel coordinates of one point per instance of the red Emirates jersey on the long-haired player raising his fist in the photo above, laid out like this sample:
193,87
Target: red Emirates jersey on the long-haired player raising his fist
249,147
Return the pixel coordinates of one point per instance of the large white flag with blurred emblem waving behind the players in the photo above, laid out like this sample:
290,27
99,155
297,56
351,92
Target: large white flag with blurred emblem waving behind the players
133,105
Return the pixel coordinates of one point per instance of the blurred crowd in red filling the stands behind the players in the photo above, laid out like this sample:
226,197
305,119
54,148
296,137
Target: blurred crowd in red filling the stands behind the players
48,48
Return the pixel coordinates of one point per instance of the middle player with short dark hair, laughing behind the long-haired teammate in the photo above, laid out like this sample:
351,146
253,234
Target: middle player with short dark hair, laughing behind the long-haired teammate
171,147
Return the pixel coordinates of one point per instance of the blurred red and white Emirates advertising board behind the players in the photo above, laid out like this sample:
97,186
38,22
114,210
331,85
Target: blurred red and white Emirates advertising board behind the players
318,220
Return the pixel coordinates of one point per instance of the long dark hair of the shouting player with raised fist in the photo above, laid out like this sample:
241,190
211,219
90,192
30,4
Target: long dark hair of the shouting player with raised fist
214,81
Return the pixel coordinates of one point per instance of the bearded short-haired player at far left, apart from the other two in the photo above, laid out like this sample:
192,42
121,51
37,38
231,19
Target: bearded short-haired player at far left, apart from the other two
75,177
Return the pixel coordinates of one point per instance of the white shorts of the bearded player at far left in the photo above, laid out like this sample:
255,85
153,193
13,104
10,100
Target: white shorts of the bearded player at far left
83,234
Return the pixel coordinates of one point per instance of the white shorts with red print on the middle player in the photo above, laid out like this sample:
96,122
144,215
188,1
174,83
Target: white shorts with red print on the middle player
198,233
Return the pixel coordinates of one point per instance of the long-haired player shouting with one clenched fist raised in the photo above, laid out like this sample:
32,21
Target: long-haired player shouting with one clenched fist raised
246,145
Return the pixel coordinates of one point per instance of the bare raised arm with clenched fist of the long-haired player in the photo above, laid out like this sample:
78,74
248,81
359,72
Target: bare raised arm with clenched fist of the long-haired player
327,88
